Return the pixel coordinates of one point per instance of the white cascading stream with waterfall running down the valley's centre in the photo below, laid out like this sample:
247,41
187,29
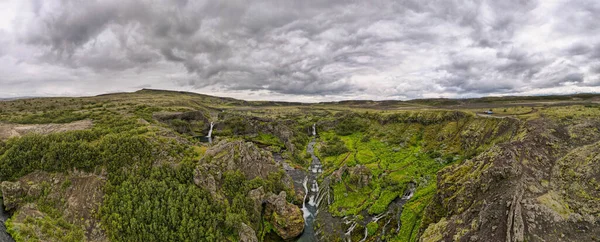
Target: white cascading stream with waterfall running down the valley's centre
311,188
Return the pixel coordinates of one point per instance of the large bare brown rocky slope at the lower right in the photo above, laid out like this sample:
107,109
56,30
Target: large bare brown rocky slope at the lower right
540,187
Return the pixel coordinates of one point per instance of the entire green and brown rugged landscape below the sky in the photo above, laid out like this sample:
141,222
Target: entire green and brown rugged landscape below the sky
158,165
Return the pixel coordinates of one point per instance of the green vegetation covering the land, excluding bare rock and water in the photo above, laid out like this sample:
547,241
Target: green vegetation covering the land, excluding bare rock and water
143,147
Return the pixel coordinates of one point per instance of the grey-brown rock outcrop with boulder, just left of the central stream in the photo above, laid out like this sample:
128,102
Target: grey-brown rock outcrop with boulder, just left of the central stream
254,163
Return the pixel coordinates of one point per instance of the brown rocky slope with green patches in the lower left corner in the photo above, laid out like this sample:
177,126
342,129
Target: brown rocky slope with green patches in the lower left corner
55,207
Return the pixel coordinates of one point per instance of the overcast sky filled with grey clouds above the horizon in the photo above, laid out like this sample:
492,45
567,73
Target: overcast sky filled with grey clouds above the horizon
300,50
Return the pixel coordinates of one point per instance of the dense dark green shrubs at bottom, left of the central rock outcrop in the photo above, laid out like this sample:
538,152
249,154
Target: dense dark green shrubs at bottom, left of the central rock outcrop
163,207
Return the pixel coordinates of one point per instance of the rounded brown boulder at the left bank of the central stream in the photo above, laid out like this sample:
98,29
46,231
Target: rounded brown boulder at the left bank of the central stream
285,217
